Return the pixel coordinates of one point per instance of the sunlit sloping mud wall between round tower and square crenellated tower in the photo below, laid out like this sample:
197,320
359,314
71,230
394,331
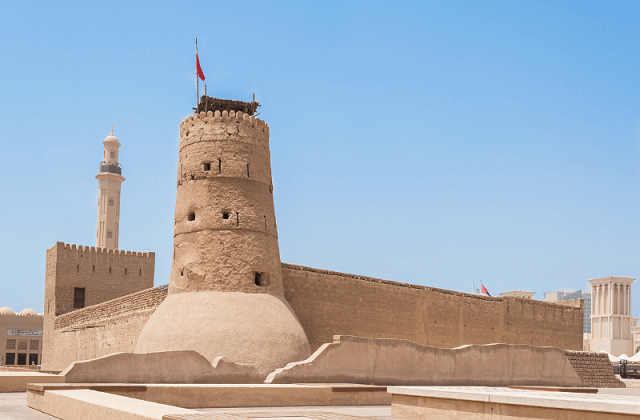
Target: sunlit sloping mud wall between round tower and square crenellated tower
100,330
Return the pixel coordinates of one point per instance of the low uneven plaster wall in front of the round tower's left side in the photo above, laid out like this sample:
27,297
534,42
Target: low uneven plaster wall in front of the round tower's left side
172,367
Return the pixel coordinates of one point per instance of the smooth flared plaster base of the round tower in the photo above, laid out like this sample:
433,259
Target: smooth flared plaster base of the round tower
252,328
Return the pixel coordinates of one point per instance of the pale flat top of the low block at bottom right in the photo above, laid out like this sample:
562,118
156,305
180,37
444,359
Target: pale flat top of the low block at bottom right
606,403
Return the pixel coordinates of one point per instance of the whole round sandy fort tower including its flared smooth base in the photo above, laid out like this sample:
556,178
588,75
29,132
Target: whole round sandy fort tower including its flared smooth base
226,294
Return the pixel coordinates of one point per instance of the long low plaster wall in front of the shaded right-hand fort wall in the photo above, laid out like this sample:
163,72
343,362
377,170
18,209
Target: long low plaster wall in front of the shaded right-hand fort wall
400,362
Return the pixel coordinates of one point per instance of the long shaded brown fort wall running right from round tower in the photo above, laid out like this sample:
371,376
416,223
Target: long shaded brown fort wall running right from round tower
328,303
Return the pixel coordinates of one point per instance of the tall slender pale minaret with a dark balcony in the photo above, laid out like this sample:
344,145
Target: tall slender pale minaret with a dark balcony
110,177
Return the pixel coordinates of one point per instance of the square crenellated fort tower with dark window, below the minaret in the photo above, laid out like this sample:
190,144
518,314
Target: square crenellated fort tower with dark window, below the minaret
104,274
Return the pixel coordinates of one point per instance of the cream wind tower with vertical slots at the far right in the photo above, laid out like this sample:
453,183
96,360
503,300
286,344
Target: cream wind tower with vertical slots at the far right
611,315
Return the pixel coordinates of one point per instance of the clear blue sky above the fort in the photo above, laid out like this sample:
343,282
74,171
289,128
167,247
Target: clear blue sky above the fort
435,143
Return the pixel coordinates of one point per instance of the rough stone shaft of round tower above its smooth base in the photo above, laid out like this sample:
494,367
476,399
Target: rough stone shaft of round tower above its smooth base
225,233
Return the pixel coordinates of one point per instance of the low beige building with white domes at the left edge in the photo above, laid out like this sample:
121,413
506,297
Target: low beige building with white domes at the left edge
20,337
